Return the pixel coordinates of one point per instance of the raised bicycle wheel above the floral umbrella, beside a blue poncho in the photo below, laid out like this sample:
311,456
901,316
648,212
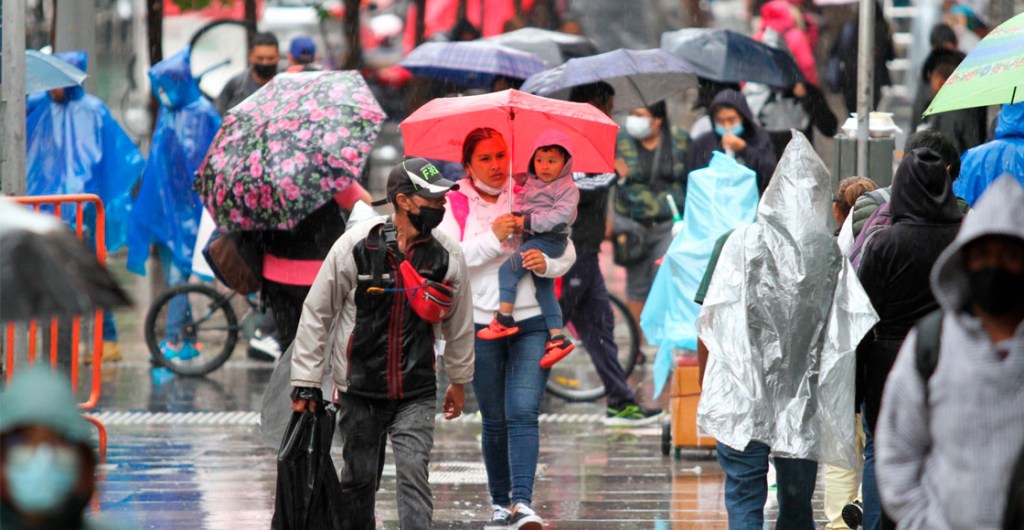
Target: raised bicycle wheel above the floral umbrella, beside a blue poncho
218,54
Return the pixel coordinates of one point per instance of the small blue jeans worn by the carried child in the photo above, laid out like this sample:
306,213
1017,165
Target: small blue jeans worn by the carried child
553,246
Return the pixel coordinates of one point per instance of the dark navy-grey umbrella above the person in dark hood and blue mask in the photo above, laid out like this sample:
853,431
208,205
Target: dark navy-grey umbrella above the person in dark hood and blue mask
731,58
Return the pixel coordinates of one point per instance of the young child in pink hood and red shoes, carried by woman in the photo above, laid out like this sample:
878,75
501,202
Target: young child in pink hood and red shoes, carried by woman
548,206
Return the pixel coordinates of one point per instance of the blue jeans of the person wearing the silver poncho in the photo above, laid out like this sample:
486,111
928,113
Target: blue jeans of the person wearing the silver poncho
747,489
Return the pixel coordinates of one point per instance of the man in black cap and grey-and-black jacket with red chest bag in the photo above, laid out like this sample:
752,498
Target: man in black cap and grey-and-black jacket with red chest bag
390,291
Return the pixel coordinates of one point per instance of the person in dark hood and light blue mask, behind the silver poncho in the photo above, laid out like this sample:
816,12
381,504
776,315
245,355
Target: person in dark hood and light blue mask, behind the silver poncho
736,134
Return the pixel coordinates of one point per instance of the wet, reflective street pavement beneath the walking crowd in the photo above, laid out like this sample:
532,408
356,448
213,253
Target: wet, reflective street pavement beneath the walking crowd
184,453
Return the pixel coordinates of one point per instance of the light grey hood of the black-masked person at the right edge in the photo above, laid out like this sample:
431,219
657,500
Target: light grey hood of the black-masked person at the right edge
999,212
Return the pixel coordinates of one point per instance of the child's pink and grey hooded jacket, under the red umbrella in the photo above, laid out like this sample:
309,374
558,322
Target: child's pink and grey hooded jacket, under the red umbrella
549,207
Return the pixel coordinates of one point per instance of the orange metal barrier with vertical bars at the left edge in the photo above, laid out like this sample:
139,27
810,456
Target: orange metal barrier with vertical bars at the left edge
77,202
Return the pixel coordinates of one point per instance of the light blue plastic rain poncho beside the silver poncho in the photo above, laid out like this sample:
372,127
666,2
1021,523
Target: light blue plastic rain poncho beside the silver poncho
719,199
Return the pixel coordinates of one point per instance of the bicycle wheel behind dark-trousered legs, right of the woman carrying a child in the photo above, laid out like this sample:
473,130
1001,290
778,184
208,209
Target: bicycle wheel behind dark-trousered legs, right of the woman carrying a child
575,379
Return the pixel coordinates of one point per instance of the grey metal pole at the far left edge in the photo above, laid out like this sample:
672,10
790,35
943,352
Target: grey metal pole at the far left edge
13,96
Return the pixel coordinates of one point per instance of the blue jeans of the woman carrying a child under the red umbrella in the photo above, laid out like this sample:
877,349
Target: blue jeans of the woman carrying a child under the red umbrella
509,386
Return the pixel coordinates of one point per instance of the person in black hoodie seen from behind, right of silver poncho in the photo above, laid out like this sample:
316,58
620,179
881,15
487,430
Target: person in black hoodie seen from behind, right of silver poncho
894,274
